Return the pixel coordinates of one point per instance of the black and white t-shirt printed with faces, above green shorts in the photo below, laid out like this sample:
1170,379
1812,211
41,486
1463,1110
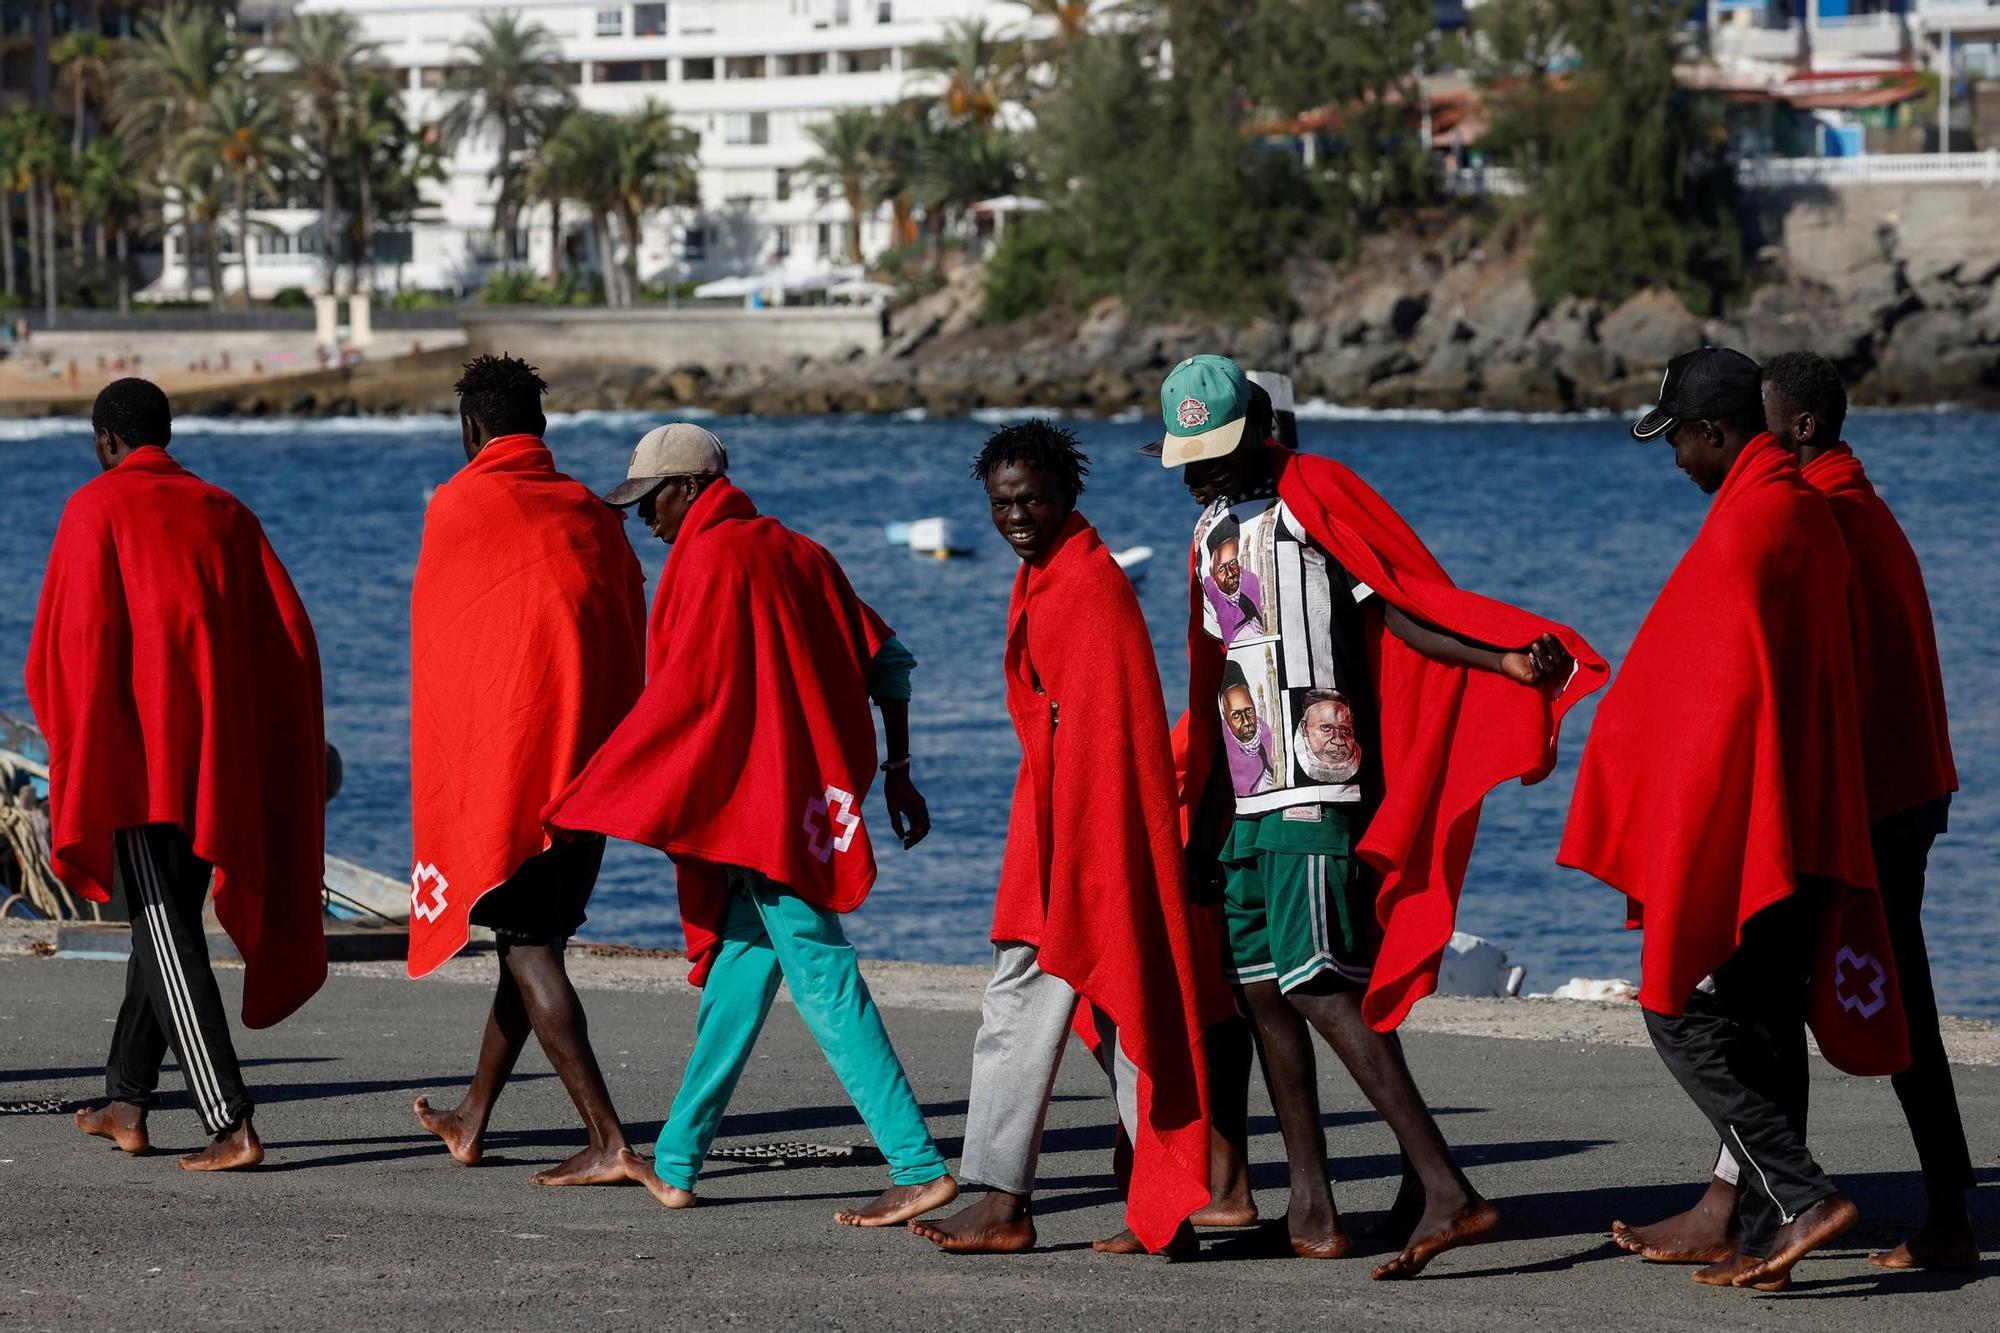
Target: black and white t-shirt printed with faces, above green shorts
1297,714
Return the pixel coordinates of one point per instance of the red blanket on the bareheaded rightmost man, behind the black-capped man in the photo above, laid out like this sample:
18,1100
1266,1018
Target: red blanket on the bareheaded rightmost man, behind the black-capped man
1907,744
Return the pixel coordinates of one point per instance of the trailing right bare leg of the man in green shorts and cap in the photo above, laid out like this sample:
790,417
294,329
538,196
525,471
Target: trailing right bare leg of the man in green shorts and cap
1455,1214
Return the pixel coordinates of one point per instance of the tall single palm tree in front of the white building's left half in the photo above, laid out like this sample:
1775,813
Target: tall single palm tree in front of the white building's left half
511,81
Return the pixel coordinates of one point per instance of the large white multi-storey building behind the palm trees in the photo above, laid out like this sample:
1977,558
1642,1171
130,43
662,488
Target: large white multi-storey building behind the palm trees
749,77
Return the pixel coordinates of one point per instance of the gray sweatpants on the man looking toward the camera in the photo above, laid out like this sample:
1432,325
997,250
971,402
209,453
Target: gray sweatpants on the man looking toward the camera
1025,1024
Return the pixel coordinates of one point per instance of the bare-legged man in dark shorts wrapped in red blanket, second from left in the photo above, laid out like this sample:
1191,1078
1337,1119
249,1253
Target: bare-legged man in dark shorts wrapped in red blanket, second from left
527,647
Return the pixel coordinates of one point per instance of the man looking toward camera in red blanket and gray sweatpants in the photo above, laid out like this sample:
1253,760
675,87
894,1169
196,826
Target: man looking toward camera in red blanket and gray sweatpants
1093,904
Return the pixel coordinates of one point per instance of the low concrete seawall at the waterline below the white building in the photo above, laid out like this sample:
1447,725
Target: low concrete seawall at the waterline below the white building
583,339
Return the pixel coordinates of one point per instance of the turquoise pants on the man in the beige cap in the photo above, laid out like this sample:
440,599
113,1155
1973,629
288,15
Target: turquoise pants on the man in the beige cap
775,936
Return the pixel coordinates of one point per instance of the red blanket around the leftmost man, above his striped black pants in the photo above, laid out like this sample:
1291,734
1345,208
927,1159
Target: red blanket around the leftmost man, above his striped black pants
177,680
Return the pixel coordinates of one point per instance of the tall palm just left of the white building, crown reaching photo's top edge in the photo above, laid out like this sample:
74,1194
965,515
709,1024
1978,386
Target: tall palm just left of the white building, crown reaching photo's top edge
161,85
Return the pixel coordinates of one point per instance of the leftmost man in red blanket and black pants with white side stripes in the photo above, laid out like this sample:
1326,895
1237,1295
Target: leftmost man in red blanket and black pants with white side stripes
177,680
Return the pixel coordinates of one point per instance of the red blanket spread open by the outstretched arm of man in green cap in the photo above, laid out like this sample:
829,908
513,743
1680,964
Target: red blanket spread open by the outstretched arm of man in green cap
1449,736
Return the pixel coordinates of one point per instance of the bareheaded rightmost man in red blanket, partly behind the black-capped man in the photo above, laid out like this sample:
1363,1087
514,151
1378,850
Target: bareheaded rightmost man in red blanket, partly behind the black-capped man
1907,752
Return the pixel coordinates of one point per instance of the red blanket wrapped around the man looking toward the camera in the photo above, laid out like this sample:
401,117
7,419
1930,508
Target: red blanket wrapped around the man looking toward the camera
1095,874
